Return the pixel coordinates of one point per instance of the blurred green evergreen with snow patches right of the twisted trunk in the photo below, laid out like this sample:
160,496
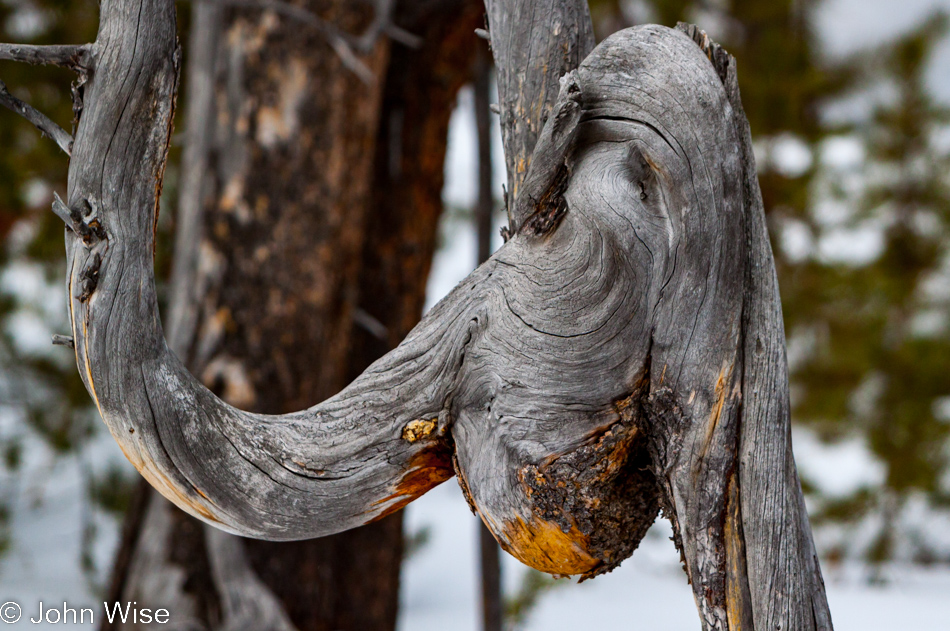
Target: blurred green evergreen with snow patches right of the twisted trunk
877,331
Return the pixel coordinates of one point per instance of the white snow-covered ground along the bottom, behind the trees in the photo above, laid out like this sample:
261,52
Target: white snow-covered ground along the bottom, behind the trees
440,589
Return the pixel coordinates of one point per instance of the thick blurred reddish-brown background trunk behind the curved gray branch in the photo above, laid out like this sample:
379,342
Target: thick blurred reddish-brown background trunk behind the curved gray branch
294,242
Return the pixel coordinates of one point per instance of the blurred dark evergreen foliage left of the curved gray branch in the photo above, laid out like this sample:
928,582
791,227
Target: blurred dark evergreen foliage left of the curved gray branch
40,390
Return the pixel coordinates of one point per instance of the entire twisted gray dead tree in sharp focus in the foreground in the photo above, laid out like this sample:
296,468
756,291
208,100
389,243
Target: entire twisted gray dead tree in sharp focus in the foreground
621,353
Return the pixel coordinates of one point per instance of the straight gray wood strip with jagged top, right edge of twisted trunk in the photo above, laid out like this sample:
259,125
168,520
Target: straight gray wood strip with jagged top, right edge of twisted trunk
783,575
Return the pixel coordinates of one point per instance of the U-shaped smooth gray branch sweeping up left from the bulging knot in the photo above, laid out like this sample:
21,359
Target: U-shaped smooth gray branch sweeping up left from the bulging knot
354,458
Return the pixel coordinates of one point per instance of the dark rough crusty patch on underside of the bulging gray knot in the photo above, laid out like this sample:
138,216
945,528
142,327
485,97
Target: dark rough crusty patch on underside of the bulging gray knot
603,492
